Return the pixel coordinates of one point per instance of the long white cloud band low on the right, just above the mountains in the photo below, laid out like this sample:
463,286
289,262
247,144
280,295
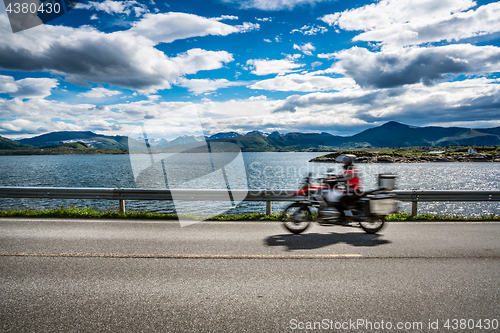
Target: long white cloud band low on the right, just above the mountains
468,100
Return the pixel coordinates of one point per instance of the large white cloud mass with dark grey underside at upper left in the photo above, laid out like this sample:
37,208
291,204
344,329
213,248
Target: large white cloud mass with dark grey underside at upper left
123,58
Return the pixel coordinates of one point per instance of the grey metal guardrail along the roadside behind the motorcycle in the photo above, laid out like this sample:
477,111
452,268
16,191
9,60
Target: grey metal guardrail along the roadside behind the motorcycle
122,194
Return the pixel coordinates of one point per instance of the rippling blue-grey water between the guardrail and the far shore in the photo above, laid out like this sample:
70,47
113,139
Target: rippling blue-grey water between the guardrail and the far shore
263,170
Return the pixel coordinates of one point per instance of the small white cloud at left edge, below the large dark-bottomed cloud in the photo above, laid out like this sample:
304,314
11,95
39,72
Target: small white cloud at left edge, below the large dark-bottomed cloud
27,88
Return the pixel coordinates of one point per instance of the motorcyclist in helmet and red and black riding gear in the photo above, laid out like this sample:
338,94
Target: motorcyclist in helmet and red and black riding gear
350,177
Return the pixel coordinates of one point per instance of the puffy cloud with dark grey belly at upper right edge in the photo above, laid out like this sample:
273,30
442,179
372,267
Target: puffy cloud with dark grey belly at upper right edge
392,68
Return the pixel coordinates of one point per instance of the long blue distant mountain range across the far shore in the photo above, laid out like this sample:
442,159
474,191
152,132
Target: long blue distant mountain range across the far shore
391,134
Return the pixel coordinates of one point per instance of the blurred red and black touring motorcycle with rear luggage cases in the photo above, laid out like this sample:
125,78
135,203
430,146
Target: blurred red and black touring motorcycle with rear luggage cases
320,203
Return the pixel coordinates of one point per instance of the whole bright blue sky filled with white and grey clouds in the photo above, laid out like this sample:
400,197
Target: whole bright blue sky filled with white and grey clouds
286,65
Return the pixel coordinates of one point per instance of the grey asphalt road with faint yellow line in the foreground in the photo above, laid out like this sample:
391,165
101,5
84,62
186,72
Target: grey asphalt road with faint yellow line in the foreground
146,276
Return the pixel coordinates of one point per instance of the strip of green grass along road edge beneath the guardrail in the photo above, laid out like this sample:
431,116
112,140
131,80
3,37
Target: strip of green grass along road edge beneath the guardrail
87,212
